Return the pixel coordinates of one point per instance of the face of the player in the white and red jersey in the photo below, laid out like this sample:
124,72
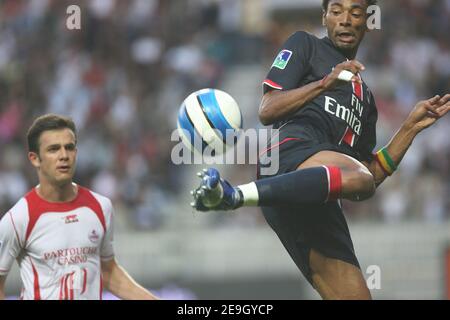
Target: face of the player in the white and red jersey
57,156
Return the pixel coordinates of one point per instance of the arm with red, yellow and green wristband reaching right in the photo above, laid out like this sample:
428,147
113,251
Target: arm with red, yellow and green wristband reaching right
424,115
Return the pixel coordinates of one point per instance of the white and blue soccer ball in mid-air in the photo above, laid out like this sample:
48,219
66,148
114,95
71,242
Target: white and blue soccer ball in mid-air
209,119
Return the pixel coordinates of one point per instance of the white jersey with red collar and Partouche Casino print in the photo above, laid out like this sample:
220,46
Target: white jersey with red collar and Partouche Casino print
58,246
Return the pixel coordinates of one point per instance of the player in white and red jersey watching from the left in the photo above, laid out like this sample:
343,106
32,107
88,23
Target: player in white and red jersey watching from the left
60,233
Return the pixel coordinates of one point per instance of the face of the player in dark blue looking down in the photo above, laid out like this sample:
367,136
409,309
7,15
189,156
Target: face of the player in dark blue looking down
346,21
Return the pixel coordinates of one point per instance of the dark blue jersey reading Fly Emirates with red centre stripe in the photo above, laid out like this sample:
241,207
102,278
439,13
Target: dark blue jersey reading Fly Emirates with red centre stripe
346,114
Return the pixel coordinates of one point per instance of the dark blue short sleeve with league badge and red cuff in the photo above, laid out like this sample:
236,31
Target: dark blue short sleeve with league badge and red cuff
291,64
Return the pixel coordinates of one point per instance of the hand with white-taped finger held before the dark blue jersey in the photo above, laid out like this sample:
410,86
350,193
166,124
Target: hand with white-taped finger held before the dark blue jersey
335,78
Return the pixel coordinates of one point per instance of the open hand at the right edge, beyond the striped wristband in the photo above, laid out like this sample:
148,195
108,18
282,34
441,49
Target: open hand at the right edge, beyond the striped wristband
427,112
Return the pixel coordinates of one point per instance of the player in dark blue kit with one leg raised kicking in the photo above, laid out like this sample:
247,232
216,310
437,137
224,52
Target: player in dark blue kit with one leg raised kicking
326,116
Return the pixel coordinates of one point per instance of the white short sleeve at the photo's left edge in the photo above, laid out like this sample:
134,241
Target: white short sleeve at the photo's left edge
10,246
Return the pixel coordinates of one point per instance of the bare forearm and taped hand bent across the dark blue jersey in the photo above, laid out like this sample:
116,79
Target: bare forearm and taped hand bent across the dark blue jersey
276,105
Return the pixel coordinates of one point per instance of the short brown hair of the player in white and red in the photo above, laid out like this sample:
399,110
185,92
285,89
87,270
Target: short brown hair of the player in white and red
45,123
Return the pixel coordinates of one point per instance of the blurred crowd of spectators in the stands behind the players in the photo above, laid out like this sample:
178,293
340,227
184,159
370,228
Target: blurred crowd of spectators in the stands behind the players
123,76
